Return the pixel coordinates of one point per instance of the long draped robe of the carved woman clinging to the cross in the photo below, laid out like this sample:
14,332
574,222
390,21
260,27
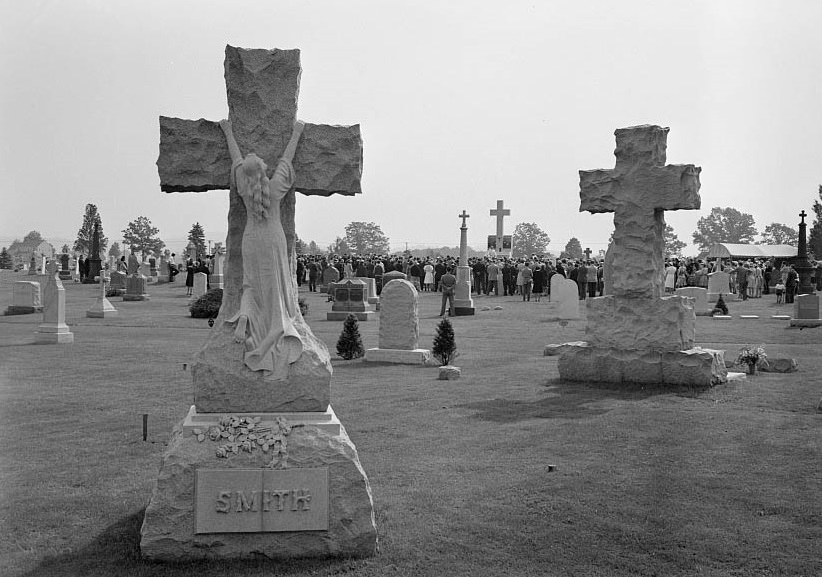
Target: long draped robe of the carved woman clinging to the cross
271,339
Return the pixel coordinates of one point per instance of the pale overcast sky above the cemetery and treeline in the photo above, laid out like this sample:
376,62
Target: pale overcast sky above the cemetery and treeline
460,104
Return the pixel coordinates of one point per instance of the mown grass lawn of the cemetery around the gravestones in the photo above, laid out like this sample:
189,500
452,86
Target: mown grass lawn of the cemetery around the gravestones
646,481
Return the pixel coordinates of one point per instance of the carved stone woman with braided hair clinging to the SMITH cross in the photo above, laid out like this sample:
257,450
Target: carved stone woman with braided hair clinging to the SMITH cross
268,312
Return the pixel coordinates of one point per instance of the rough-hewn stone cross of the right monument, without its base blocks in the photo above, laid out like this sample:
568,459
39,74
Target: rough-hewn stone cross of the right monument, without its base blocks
638,191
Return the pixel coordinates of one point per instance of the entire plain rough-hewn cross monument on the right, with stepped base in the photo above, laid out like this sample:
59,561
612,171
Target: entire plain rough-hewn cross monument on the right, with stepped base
635,334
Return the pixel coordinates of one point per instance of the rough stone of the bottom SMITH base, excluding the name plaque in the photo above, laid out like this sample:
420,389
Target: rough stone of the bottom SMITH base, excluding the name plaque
168,534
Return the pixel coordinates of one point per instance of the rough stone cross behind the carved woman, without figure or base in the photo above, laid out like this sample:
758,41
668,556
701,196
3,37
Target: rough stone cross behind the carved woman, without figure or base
262,88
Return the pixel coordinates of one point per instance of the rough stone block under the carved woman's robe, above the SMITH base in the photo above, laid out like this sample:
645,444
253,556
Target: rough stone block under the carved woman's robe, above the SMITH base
223,383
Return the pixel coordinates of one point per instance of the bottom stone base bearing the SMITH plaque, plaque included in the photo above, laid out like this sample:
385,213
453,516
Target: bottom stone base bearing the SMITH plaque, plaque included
309,497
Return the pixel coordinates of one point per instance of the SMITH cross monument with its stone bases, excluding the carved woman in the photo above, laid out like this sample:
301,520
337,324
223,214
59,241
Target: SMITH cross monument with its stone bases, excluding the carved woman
302,492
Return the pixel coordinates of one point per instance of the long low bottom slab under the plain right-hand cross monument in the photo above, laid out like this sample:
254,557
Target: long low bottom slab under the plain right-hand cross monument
693,367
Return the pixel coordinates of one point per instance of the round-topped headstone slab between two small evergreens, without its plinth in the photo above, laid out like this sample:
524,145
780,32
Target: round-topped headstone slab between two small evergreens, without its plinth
399,319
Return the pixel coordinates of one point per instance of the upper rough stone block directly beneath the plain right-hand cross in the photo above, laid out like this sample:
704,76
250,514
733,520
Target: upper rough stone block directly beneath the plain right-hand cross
666,324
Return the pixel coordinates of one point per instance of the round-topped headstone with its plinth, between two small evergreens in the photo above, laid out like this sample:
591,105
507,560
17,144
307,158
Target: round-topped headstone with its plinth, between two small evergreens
399,326
